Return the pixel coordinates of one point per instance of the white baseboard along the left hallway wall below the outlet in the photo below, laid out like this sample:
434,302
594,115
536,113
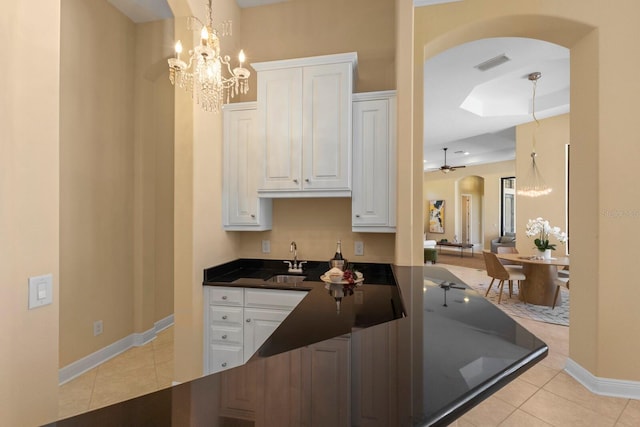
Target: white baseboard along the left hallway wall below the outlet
79,367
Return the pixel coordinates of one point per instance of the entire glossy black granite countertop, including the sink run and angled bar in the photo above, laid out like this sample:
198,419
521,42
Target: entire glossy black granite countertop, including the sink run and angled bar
414,347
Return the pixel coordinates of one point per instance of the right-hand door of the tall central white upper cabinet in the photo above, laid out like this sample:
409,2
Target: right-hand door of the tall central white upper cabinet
326,141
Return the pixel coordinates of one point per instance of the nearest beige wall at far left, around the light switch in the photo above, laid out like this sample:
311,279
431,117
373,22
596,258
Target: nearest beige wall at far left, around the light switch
29,200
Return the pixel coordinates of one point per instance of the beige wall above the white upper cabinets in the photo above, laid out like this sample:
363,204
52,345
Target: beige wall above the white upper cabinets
297,29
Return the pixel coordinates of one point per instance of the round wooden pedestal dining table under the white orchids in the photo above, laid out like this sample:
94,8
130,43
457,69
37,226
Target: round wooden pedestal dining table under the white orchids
539,285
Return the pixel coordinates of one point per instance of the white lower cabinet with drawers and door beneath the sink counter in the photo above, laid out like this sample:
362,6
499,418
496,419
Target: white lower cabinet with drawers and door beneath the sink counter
238,321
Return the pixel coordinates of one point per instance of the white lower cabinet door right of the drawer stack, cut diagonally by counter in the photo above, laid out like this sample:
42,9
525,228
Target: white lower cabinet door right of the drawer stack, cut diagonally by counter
259,324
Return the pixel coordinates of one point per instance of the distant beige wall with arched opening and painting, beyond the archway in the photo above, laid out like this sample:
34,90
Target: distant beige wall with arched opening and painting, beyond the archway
449,187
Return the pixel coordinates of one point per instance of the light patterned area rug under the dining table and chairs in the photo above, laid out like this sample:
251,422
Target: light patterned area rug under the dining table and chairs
478,280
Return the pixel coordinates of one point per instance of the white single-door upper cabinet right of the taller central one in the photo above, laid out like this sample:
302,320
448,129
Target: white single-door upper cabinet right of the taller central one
373,203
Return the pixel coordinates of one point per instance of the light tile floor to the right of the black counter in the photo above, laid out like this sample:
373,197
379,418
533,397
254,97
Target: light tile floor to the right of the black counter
545,395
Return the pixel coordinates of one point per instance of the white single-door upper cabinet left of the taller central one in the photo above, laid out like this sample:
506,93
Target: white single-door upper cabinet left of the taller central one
241,207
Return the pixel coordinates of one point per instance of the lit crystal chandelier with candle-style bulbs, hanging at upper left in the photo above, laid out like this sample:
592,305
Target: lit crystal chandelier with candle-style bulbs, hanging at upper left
203,75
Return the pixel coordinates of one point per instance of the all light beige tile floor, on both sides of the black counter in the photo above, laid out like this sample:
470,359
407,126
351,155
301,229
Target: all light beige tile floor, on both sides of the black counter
543,396
